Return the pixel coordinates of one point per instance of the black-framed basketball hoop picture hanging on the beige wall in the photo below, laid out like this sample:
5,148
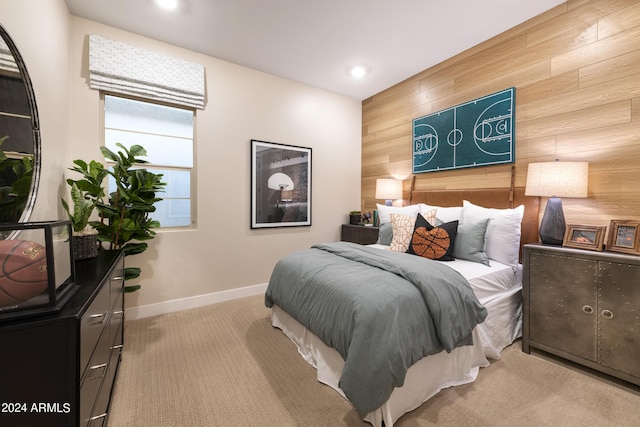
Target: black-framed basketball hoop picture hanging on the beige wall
280,185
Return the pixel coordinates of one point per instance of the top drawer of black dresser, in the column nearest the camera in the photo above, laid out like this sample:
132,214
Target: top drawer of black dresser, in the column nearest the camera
92,324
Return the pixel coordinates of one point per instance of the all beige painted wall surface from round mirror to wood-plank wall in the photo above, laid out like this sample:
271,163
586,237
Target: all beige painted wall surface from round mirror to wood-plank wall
222,253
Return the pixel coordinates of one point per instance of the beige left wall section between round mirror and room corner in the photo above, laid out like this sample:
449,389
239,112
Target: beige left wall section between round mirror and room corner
43,40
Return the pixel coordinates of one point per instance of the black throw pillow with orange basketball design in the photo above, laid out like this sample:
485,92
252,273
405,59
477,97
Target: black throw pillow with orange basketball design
433,242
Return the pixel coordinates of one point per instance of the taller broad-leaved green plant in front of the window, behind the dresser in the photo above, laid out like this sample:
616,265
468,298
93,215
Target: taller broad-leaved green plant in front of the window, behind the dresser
124,217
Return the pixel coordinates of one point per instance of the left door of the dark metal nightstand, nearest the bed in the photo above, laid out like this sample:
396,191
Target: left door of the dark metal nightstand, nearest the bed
562,294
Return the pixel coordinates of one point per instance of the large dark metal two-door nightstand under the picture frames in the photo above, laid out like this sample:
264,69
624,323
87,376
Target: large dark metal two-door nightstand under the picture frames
583,306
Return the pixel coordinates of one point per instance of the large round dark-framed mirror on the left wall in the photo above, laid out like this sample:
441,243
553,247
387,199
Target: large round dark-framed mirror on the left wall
19,136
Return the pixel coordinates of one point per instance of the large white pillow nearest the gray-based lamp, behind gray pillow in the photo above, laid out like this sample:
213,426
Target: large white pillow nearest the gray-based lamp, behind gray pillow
503,231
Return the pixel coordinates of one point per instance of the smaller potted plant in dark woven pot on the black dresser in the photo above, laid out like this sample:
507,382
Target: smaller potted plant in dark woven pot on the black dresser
85,194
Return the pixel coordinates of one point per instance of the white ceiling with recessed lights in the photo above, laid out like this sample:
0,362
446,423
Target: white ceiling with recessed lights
316,41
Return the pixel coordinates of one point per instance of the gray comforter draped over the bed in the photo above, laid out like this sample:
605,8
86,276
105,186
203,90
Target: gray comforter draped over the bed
382,311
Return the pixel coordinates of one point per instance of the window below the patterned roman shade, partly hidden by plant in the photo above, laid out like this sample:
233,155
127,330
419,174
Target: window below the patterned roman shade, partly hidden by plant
167,134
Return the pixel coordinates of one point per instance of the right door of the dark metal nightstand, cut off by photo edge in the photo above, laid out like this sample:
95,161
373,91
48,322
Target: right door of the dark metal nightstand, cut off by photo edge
619,317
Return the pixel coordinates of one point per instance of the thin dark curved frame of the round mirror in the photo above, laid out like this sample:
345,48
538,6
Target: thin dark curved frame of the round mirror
35,125
